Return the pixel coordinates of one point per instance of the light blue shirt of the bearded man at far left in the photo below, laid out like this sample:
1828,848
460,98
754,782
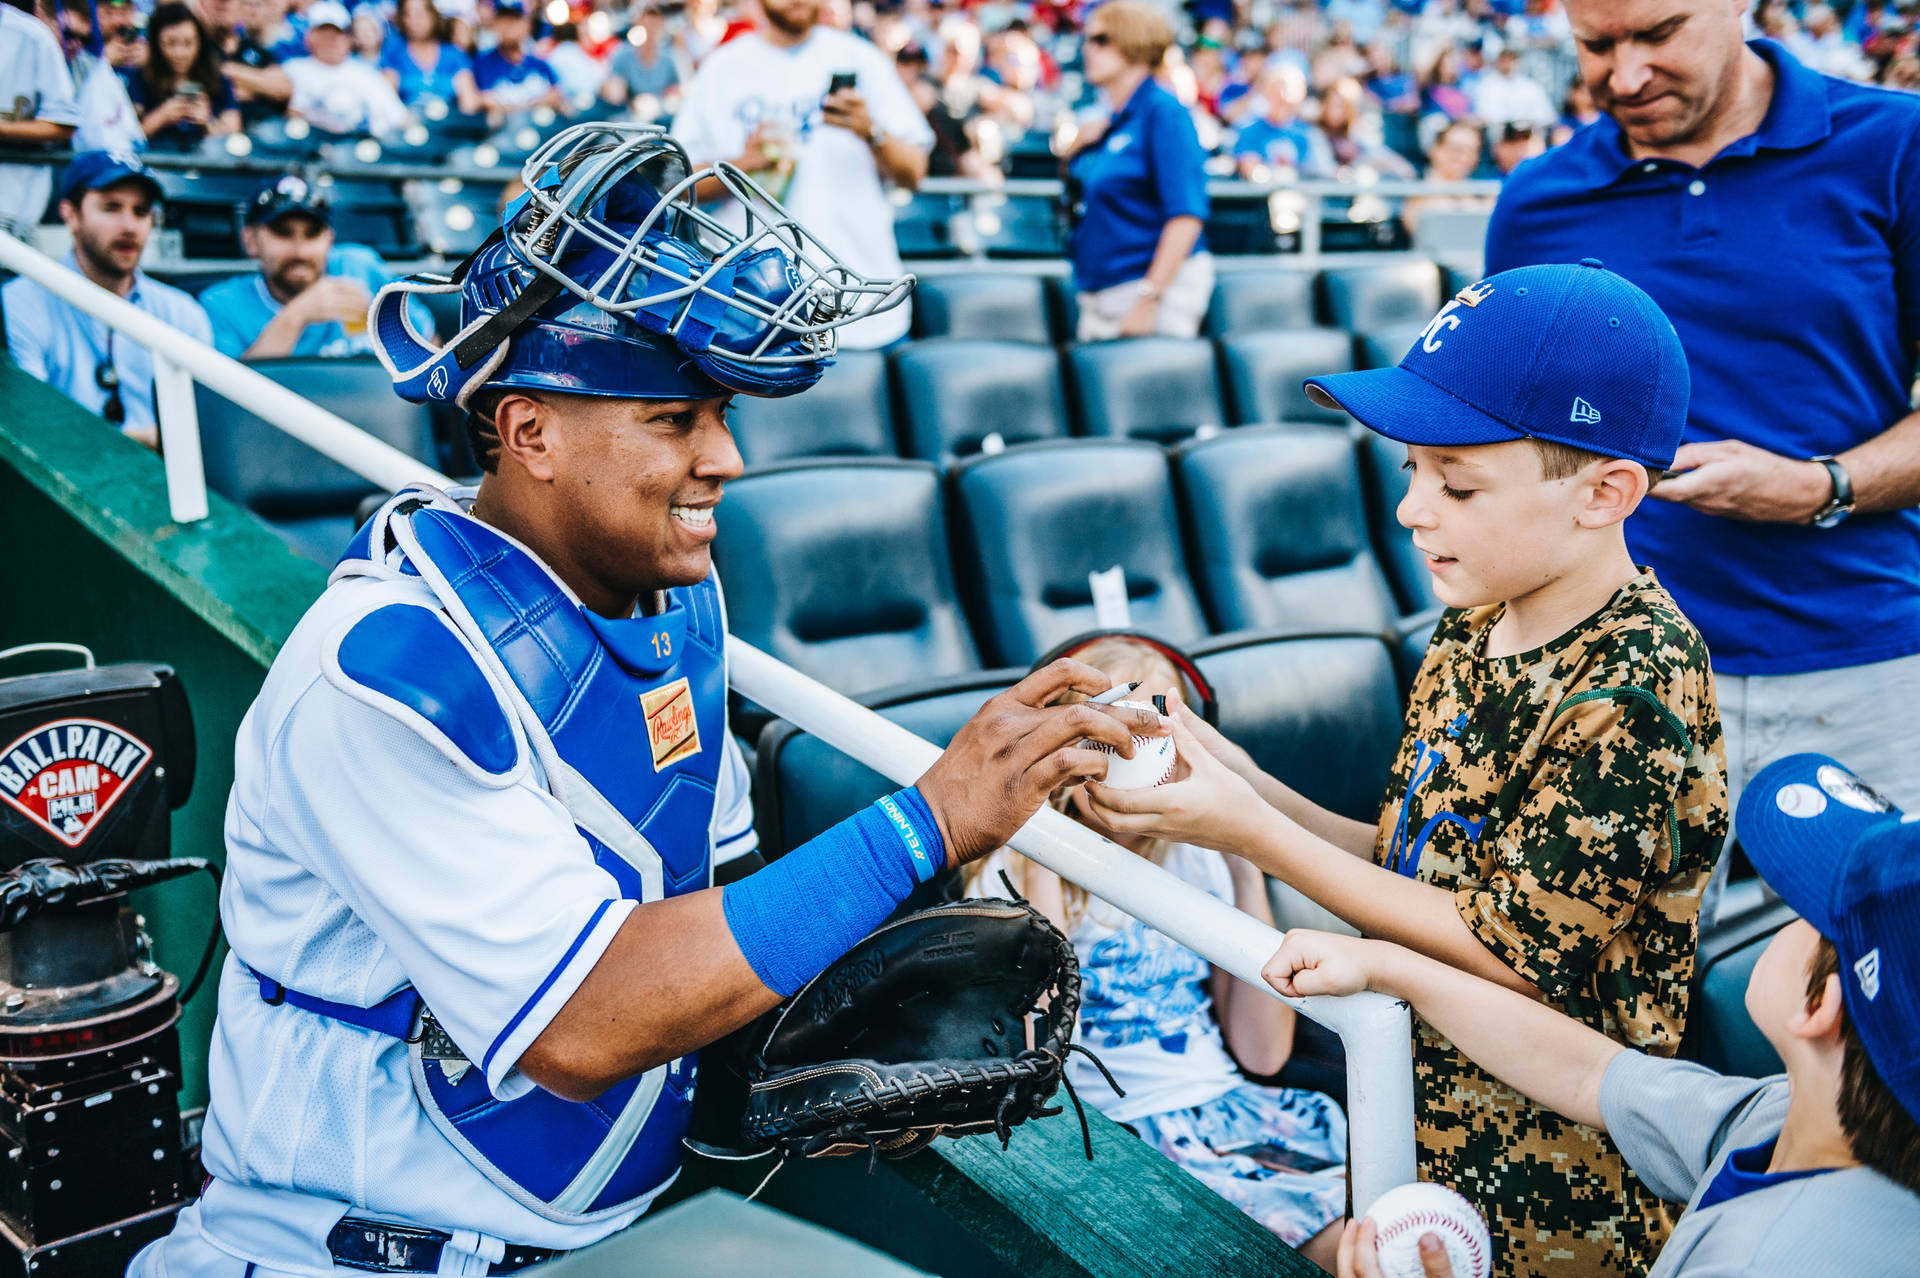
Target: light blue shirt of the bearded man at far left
68,348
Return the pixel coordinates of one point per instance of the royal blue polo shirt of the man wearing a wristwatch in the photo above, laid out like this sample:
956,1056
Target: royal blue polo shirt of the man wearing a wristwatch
1790,268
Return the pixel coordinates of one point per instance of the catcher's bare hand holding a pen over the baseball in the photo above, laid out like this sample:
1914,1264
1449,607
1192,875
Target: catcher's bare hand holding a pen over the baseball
1019,749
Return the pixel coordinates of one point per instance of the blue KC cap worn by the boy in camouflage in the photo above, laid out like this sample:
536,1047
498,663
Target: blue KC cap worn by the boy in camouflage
1568,352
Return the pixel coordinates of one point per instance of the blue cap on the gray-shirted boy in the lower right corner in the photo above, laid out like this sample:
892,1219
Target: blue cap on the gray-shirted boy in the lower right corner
1850,864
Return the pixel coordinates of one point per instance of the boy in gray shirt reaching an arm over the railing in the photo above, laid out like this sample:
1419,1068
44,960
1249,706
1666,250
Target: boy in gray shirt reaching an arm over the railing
1815,1171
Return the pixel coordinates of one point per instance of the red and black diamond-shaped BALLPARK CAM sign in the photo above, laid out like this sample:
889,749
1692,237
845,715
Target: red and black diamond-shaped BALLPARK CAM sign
66,774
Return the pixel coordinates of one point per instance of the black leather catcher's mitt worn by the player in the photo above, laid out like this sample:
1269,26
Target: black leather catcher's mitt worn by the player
921,1031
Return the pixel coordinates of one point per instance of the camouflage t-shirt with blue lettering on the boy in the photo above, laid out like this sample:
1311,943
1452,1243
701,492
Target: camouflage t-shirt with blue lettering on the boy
1573,799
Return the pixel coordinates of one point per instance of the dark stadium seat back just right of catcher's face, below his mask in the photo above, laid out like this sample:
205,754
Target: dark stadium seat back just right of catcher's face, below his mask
844,415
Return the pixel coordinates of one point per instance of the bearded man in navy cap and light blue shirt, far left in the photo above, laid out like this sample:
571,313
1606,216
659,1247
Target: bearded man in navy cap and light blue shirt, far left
108,206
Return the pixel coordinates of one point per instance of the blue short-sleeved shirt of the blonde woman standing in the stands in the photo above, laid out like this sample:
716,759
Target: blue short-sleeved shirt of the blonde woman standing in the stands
1145,172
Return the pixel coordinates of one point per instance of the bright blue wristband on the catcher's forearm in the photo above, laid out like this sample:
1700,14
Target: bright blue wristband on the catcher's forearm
819,901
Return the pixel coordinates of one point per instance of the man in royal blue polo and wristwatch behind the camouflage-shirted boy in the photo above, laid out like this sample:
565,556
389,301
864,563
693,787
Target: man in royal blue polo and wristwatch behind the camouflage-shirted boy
1775,216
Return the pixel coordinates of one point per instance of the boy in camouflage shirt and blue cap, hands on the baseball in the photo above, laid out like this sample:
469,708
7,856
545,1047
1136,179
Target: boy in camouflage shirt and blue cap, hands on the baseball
1560,793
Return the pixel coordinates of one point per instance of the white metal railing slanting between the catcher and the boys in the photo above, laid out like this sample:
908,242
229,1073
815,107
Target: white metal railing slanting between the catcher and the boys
1376,1029
